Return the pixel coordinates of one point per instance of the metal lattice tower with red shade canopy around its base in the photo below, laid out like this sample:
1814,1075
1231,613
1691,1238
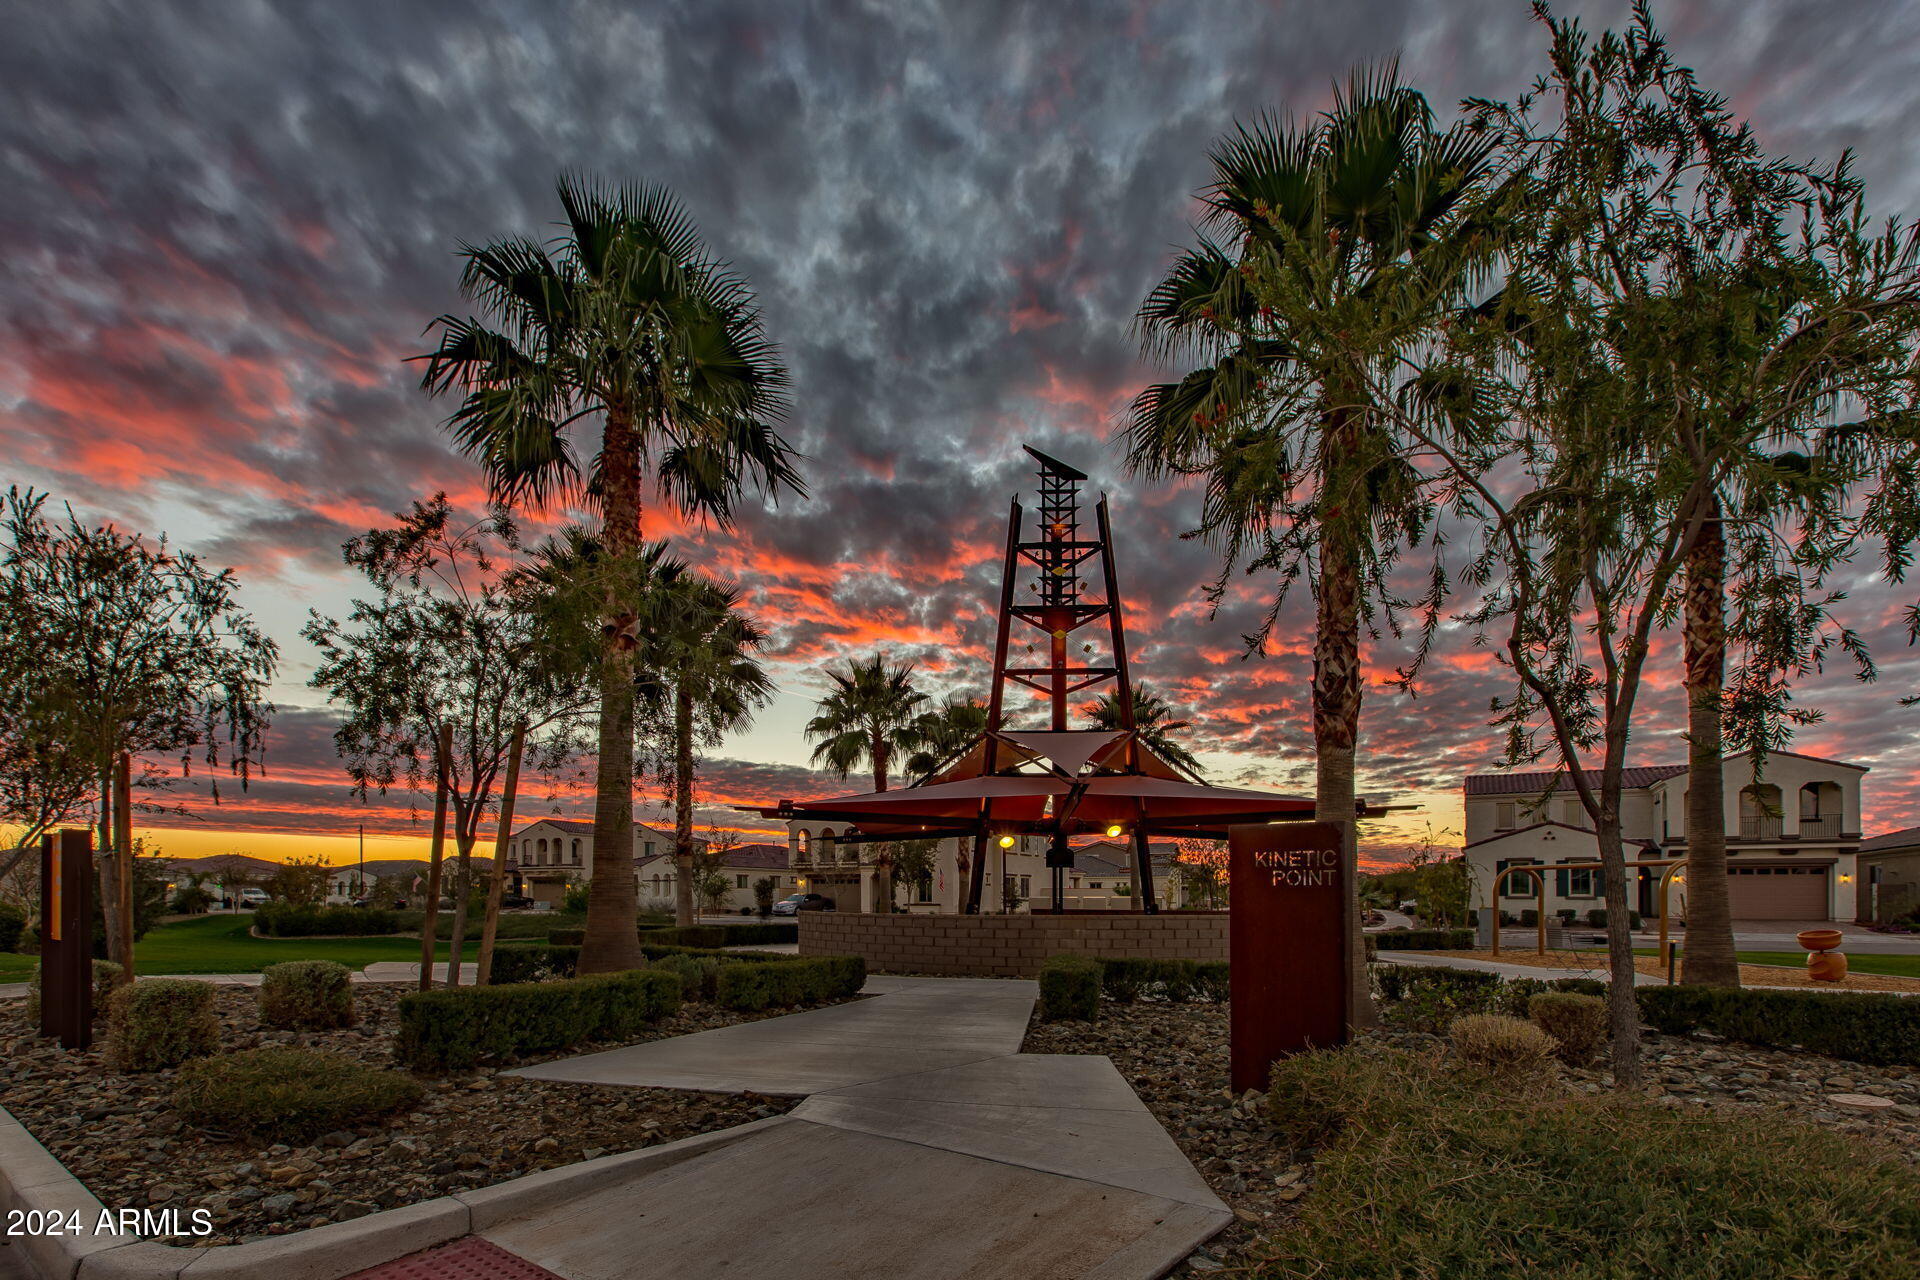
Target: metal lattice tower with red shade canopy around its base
1051,780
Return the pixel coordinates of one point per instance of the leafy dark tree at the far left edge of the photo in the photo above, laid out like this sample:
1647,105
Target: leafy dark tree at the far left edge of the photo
116,646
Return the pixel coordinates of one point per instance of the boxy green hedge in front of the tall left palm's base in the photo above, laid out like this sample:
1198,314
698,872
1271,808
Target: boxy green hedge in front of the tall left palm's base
458,1028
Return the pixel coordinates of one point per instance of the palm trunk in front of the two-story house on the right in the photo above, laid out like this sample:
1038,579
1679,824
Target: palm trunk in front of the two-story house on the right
1710,924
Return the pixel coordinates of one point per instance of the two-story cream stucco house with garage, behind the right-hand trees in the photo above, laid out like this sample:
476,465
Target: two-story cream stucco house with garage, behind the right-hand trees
1794,838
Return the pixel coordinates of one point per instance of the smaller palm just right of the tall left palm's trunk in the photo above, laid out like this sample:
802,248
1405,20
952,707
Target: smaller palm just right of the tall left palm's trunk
700,653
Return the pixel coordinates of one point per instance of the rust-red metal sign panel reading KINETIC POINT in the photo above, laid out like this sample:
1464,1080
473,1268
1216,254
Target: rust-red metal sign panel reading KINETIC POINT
1287,943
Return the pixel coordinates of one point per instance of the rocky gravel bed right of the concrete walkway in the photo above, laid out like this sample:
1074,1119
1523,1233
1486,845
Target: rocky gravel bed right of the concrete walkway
1176,1058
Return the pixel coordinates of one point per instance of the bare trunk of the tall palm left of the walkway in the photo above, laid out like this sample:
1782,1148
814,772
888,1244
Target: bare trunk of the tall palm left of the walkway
613,936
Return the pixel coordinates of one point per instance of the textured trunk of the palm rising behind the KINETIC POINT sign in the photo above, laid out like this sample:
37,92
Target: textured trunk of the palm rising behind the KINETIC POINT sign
1337,696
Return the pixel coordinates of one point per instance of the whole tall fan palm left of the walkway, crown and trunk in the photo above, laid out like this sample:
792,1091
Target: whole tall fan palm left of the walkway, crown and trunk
625,323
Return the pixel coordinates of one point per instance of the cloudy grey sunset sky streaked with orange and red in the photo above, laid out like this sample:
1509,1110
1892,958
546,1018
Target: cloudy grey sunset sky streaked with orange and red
226,227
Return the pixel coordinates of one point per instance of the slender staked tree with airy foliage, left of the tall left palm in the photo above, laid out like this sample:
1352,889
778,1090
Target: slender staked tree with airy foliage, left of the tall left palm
446,642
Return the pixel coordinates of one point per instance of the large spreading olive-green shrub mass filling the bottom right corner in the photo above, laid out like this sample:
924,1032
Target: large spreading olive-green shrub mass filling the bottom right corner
1418,1175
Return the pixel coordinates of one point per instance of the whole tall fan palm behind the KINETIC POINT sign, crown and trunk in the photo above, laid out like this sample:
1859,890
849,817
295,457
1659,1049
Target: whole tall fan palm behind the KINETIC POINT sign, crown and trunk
1353,239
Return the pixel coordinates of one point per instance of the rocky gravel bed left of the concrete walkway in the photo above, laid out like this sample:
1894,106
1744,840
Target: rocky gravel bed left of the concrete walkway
120,1135
